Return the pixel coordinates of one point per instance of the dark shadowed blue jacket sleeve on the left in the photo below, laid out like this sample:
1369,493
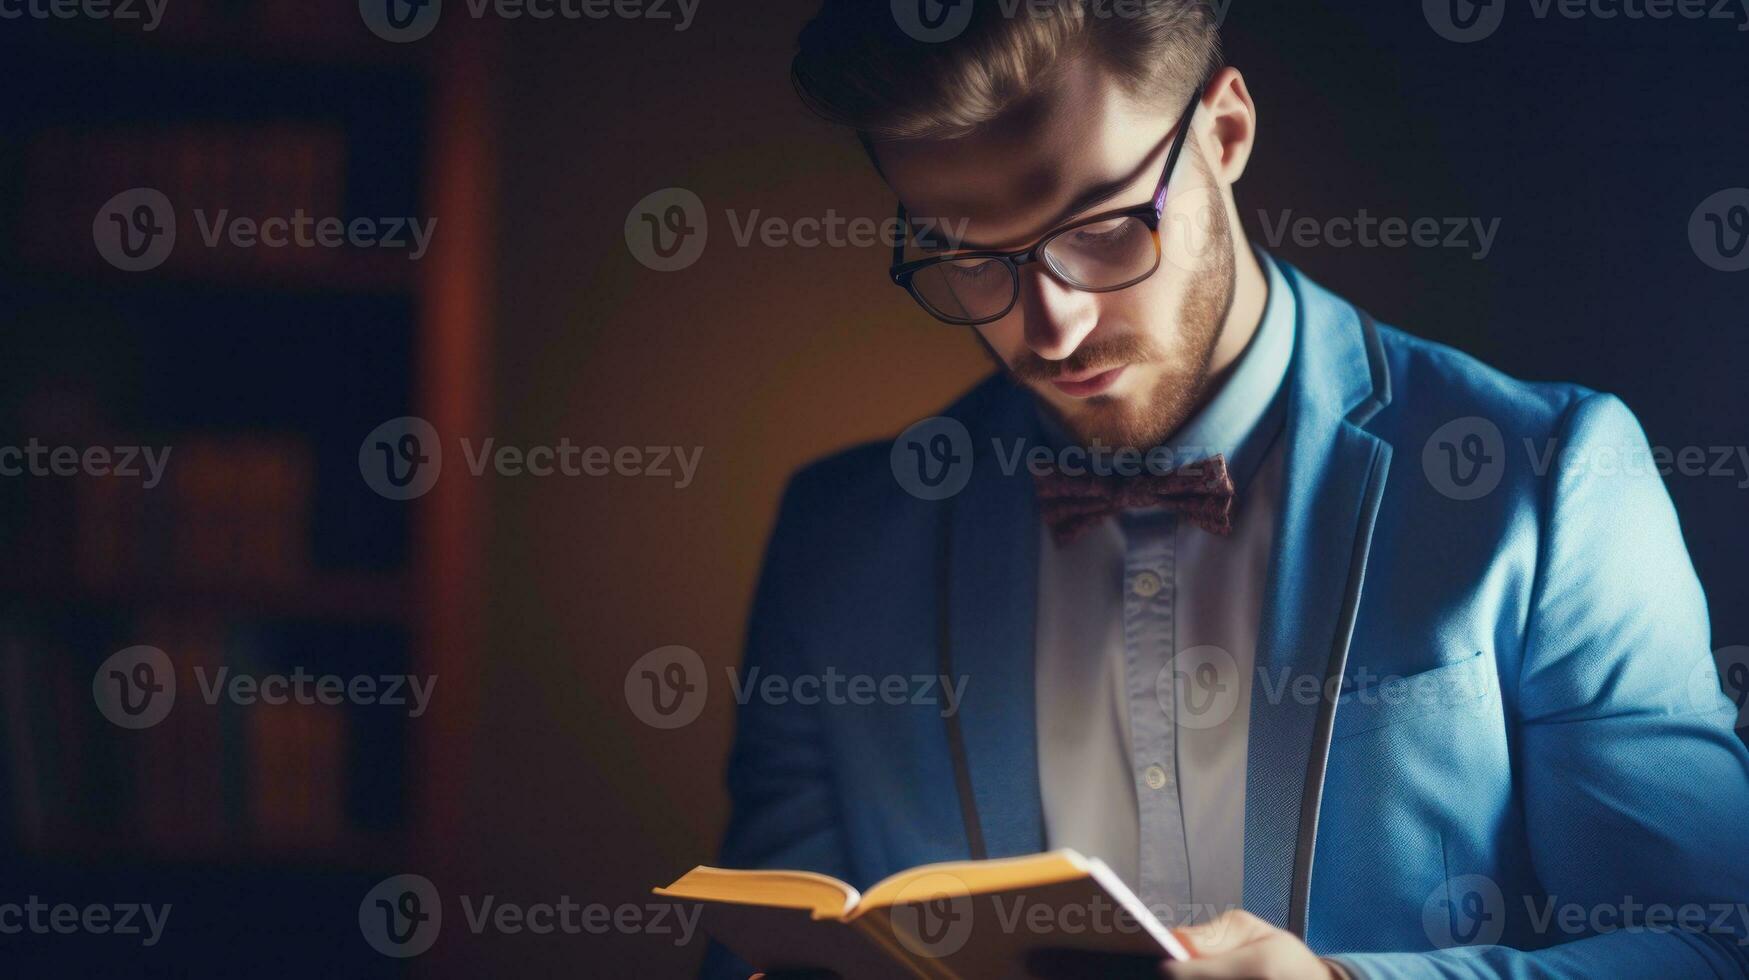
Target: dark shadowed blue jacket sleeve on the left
784,813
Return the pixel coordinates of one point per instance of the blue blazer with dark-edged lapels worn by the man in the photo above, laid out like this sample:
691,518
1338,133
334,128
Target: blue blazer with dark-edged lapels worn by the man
1570,755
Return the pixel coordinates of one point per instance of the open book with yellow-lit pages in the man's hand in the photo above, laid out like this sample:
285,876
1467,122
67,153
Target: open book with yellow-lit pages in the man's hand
937,921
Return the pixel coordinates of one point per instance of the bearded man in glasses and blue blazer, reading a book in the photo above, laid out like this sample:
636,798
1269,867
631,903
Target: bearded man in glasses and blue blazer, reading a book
1255,599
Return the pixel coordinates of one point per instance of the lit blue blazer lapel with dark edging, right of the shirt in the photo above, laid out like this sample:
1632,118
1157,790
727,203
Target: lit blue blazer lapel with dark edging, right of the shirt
1335,477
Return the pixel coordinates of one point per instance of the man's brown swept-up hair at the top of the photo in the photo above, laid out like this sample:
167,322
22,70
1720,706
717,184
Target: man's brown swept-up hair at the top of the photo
856,66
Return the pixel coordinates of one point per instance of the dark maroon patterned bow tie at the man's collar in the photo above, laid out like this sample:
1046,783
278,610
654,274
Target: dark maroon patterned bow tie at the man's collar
1202,493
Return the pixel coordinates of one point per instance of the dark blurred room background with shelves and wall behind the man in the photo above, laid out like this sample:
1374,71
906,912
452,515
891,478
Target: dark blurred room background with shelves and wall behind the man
1592,141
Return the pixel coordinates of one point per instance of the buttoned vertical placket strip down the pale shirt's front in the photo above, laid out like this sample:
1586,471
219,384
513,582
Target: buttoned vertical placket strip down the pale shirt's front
1150,584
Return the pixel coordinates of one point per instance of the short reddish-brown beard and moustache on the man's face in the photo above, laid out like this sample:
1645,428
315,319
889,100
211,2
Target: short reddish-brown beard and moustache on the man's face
1185,377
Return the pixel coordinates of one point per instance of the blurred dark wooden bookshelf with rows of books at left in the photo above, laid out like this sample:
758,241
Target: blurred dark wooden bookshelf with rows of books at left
261,370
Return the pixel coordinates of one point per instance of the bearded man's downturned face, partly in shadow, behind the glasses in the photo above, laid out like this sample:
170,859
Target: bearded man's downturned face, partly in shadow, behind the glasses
1120,368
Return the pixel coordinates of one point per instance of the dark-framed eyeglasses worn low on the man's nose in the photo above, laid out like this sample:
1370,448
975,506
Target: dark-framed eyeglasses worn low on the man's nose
1103,253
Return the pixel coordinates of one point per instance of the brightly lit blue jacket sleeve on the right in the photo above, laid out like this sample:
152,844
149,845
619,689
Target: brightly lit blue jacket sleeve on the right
1636,785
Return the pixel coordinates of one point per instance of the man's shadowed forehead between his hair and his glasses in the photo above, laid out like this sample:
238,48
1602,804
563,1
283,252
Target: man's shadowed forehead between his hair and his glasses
1014,179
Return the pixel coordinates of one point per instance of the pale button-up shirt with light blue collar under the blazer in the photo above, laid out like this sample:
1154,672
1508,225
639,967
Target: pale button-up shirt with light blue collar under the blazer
1146,650
